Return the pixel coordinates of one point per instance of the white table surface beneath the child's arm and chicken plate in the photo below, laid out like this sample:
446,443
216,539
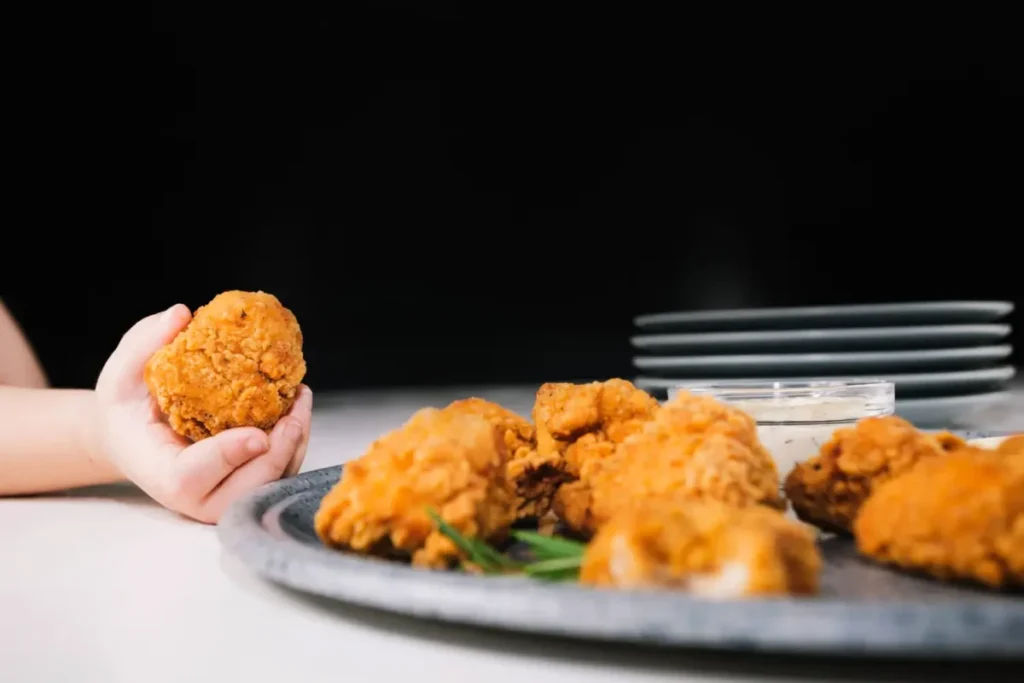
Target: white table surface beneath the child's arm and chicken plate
103,585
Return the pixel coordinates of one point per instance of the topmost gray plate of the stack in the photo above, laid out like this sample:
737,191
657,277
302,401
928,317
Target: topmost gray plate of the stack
924,313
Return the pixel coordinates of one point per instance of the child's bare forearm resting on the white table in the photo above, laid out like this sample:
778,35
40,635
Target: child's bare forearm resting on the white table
50,442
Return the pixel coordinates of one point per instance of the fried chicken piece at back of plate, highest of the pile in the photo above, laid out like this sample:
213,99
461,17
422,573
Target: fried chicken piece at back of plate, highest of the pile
580,422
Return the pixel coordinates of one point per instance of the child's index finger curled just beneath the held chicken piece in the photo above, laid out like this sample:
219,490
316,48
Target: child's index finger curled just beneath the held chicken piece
204,465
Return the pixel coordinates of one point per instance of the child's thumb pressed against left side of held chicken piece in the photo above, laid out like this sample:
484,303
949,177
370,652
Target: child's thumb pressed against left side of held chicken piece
122,376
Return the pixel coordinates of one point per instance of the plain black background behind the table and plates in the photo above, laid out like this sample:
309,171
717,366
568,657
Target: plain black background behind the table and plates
448,196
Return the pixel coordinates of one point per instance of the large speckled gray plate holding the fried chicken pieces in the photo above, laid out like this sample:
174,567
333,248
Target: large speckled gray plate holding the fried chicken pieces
864,609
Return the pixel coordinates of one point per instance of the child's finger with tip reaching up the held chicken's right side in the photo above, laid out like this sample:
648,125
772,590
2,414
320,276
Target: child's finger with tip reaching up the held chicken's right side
287,445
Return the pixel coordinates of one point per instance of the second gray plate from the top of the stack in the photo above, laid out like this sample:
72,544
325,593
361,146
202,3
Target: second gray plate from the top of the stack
852,339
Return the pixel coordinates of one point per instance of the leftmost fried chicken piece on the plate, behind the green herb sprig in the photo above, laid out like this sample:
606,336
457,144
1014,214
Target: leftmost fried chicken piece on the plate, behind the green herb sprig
453,462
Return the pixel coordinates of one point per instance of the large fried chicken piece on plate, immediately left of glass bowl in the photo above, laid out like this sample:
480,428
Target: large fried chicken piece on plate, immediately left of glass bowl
695,448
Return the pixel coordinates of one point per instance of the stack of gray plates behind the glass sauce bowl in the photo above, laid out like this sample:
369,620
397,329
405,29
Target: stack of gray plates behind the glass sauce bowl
949,360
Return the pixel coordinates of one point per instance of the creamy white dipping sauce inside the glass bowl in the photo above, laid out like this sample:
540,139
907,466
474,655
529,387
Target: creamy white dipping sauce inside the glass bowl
794,430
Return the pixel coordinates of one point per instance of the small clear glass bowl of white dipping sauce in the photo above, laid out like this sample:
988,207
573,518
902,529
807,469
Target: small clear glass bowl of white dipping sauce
795,419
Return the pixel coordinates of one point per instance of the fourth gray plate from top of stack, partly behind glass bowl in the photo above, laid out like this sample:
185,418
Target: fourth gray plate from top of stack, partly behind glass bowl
908,385
